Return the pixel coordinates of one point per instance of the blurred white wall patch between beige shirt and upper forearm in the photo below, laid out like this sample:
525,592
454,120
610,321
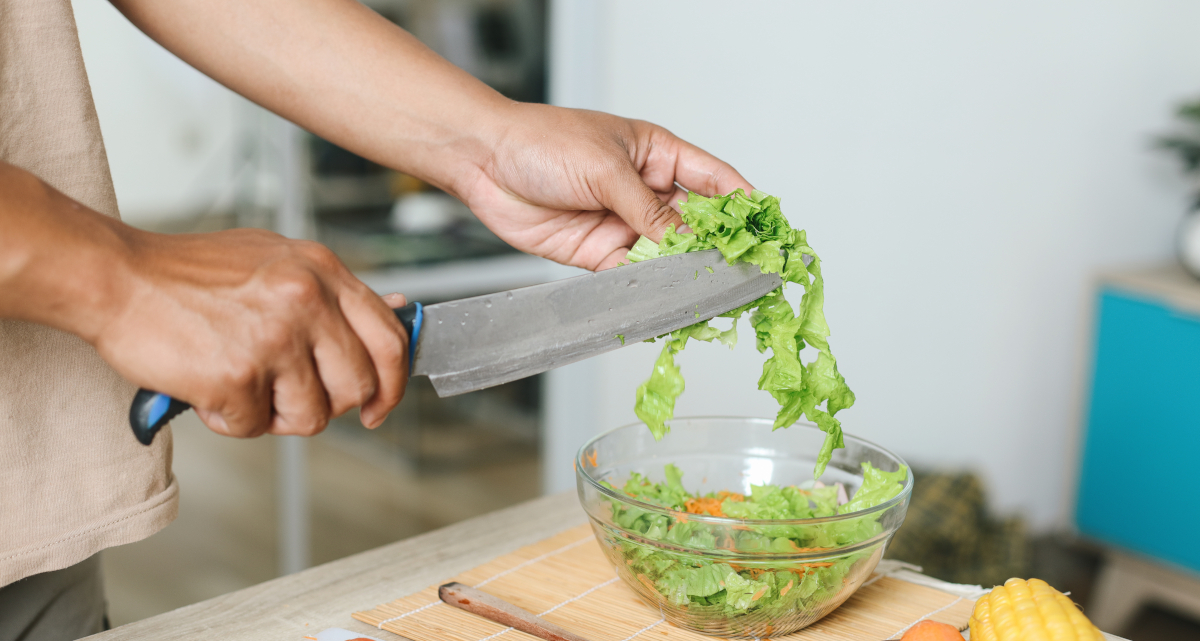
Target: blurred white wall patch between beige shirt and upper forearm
169,129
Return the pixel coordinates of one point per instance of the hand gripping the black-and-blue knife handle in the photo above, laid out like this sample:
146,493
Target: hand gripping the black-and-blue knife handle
257,332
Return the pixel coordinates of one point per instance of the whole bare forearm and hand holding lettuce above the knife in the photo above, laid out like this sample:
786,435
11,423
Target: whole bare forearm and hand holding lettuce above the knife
571,185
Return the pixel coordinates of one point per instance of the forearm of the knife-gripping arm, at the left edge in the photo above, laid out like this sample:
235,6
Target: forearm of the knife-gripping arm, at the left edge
59,261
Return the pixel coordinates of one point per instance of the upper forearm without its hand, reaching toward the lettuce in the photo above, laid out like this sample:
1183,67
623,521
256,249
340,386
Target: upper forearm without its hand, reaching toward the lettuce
341,71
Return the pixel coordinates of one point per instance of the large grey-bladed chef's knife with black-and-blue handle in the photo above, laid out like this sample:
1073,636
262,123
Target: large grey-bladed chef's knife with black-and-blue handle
483,342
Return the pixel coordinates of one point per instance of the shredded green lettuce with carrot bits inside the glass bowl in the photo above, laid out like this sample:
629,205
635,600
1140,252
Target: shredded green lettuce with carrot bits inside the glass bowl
737,585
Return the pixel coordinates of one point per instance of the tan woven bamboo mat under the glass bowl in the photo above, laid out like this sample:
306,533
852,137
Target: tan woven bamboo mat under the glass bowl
567,580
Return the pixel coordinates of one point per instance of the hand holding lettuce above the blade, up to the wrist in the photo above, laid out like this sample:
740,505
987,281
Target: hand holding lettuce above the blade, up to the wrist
580,187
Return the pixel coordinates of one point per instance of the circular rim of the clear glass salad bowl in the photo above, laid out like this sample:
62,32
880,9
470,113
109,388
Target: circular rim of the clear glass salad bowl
725,520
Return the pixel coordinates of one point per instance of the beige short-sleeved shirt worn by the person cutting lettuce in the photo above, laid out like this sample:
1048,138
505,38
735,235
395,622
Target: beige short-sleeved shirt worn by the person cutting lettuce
73,478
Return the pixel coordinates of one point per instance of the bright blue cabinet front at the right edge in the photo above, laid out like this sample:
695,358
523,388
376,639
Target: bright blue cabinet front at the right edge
1139,486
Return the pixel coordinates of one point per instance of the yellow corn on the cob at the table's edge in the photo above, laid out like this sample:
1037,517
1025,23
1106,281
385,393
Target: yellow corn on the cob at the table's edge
1030,612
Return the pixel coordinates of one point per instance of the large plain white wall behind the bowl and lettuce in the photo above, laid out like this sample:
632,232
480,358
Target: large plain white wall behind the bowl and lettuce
962,167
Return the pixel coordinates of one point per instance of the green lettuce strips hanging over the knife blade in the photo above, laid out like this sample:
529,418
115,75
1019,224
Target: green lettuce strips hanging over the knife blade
753,229
